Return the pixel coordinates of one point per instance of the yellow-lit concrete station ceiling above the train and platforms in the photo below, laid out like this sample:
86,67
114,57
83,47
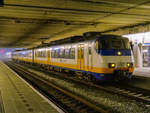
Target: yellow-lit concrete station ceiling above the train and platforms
27,23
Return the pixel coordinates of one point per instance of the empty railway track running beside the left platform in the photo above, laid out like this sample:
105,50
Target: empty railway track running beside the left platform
69,102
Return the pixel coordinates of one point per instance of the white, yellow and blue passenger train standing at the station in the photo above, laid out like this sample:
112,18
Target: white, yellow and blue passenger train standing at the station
93,56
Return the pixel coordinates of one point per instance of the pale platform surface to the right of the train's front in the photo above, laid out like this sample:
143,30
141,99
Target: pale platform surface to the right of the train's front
143,72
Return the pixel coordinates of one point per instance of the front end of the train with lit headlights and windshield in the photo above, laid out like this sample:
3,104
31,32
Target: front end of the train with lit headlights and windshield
116,57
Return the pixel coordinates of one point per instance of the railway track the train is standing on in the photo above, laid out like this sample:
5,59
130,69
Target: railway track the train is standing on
125,90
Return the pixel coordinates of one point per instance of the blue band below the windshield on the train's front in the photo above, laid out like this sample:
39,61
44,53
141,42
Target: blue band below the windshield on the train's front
113,52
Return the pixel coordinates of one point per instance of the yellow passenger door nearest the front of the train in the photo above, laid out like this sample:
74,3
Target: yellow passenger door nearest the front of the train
81,56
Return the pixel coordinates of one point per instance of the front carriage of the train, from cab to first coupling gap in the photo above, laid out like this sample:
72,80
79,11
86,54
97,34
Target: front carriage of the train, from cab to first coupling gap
89,57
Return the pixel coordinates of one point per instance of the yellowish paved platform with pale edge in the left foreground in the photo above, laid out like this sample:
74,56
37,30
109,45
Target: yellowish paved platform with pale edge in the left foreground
17,96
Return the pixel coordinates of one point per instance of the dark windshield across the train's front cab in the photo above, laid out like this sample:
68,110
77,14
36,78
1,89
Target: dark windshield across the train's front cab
114,43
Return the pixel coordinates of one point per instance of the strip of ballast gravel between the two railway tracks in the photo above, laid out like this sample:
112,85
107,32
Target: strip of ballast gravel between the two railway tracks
111,102
